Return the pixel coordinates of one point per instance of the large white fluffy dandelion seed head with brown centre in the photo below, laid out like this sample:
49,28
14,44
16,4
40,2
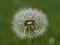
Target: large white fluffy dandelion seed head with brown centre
29,23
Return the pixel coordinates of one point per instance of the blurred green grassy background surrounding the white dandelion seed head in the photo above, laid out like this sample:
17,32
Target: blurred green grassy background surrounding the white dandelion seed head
9,7
